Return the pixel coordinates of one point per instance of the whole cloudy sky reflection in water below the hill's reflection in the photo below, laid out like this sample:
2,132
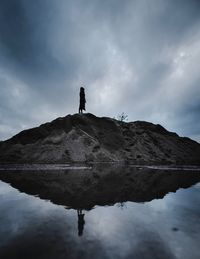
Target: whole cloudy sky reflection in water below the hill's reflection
142,230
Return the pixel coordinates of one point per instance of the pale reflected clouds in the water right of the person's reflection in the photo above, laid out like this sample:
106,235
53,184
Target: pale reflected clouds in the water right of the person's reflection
143,227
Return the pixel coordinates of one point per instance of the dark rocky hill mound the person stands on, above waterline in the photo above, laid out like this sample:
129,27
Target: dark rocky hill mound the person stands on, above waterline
85,138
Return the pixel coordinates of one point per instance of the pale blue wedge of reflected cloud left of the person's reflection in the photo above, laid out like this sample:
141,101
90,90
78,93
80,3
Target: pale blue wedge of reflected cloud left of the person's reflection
19,211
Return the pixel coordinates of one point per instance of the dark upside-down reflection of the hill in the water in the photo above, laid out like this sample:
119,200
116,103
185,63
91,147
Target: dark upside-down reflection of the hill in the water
102,185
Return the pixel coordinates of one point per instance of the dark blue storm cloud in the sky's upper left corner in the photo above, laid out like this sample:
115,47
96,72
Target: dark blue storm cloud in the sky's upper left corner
24,38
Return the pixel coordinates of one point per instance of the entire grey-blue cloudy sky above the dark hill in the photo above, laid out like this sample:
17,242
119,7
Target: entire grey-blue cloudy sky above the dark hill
140,57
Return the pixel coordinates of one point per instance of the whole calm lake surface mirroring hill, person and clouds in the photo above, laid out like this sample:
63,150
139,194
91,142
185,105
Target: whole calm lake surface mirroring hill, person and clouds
104,212
